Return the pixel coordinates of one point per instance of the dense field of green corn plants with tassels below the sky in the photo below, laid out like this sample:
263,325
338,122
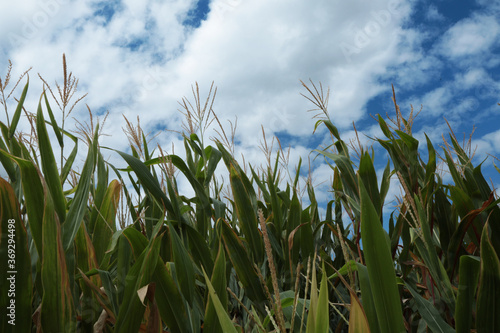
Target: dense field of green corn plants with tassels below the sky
106,248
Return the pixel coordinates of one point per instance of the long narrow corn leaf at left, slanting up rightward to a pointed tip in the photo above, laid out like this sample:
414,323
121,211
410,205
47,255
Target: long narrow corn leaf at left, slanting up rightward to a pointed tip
78,206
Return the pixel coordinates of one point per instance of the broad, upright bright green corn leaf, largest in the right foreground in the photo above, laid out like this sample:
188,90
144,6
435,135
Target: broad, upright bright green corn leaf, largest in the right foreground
380,267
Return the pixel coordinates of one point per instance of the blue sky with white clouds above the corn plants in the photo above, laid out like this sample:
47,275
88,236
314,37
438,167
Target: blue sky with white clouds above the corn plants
140,58
